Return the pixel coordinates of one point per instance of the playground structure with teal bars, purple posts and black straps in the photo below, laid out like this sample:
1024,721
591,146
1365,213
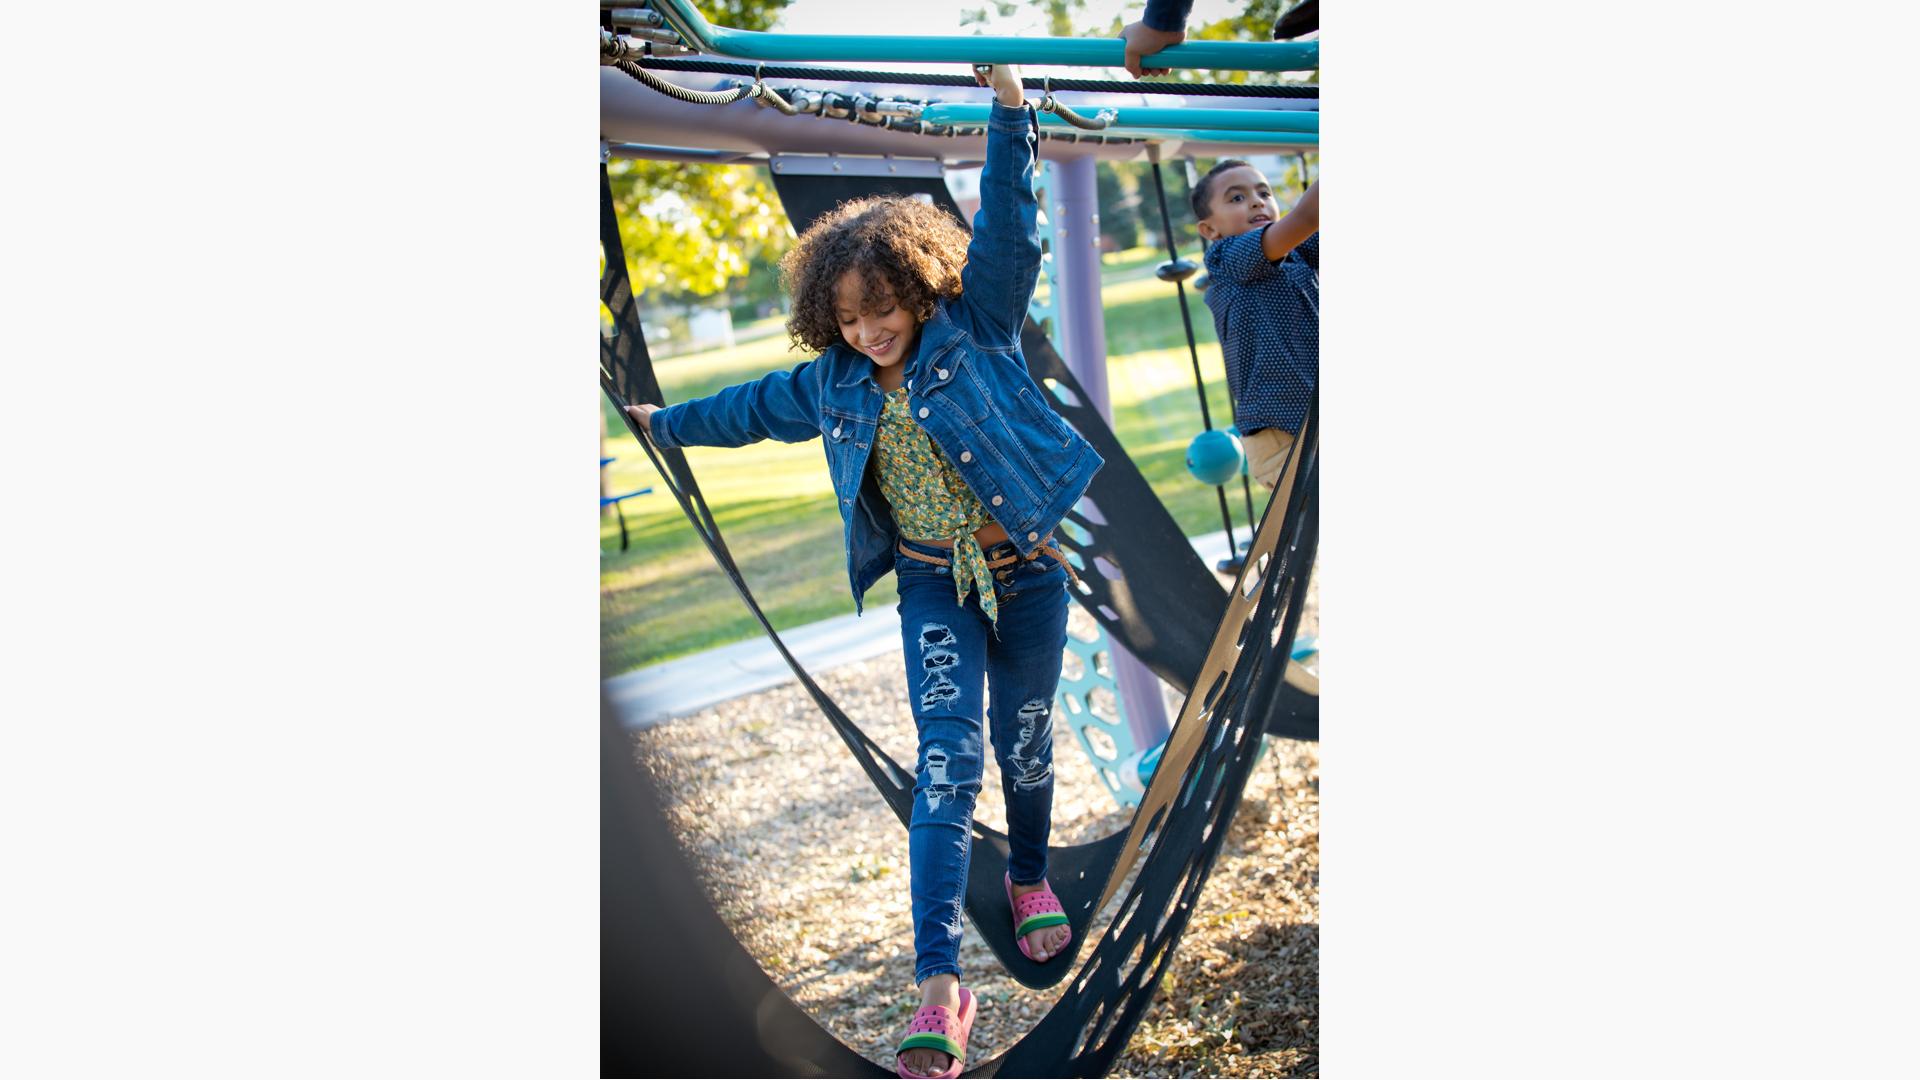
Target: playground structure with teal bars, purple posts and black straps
1164,616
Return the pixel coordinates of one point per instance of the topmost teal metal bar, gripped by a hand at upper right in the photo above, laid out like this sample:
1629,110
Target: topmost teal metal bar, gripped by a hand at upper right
953,49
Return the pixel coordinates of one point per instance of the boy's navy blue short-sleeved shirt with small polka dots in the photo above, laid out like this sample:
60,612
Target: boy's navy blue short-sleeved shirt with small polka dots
1268,324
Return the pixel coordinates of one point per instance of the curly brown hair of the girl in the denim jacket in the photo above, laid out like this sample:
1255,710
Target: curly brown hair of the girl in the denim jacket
898,243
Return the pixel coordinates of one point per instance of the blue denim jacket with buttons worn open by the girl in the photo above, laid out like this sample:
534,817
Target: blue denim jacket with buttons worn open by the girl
967,383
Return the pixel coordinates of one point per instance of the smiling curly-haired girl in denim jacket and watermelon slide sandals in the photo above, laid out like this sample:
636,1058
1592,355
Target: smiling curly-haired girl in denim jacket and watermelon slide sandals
951,472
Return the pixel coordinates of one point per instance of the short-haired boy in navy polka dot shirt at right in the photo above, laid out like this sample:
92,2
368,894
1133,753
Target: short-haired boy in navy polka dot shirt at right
1264,293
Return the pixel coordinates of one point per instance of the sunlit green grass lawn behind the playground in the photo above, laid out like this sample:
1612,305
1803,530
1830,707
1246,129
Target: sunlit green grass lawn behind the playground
775,503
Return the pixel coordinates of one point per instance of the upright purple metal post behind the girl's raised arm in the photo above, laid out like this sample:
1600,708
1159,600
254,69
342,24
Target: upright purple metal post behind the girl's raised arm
1074,209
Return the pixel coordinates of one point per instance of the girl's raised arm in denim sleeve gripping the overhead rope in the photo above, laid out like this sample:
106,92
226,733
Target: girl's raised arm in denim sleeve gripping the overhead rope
1003,262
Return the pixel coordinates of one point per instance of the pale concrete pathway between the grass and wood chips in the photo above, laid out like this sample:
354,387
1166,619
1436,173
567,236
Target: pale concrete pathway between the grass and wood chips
688,685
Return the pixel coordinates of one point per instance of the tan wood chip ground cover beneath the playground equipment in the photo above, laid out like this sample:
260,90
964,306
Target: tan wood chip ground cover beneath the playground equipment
809,868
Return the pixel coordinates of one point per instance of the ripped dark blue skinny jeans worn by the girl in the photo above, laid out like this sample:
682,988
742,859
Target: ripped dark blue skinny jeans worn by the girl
957,666
